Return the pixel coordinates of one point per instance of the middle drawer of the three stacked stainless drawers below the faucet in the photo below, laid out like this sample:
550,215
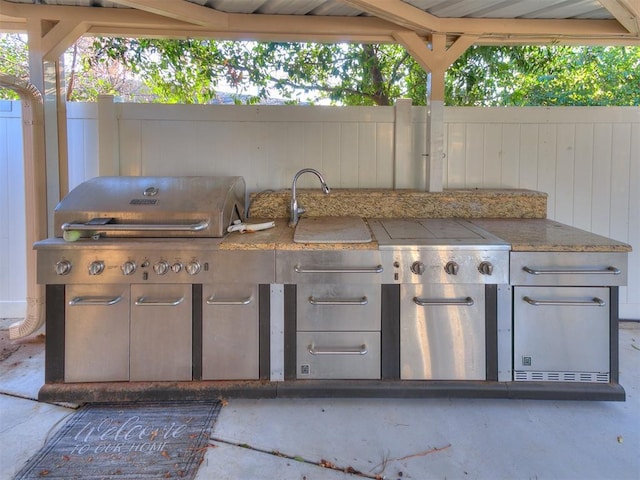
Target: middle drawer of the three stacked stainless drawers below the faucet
324,307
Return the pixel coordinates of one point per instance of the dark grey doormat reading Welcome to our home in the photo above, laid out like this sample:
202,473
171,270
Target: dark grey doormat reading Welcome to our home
139,440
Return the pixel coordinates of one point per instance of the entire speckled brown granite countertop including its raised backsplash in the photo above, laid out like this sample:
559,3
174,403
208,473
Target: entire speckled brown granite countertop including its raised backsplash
516,216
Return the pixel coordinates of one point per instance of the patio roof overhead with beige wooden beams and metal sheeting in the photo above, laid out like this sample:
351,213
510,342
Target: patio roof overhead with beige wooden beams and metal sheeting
493,22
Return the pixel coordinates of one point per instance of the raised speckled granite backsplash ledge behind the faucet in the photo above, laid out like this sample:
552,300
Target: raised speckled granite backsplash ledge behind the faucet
386,203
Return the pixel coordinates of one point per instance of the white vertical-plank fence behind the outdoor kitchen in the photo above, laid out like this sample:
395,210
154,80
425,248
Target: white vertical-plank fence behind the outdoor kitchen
586,159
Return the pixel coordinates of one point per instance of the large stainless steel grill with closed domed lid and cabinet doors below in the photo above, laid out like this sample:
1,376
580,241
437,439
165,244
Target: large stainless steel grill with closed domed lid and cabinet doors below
126,271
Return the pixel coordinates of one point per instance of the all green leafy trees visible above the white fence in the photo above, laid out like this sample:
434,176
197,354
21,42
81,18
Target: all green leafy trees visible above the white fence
197,71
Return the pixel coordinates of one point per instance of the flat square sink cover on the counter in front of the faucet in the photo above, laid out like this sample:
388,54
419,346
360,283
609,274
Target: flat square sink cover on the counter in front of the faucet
332,230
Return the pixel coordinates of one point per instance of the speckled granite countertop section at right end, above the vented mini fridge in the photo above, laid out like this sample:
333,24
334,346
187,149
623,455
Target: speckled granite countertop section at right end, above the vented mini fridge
543,235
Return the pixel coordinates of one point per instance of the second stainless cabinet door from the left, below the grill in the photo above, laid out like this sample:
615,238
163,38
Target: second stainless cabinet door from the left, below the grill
161,333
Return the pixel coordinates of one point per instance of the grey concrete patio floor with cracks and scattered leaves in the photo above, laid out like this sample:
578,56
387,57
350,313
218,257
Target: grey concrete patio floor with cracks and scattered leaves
382,438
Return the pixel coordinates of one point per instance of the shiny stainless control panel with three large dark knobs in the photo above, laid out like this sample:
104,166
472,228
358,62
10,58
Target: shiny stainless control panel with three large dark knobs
398,266
